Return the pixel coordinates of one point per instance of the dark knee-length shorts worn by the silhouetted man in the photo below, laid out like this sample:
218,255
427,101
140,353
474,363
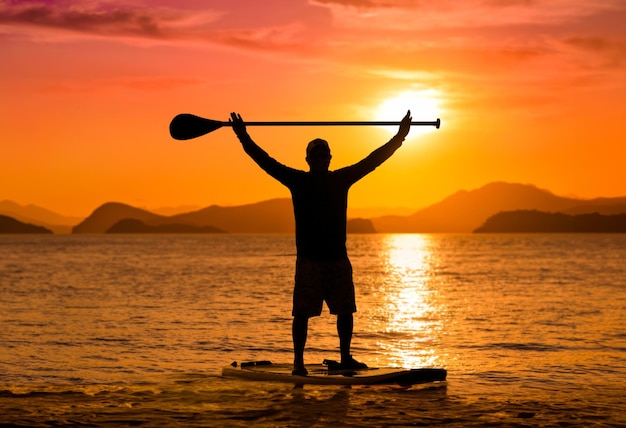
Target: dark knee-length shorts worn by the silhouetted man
322,280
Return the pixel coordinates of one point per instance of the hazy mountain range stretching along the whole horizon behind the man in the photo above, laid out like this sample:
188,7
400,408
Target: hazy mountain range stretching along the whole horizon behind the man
462,212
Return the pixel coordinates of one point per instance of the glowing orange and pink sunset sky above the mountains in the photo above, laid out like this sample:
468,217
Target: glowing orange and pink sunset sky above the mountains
527,91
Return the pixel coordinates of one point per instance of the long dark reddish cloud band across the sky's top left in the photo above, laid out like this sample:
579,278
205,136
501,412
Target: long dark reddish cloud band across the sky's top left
141,24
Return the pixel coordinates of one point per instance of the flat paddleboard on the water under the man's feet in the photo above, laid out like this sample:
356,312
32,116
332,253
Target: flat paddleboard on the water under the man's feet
320,374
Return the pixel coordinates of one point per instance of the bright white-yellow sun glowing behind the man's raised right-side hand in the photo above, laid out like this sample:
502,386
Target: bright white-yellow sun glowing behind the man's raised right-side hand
425,105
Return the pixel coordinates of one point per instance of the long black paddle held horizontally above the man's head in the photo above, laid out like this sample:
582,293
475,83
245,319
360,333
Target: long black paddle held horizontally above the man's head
186,126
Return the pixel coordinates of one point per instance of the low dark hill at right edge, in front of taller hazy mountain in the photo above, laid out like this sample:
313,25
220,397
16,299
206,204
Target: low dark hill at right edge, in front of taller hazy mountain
533,221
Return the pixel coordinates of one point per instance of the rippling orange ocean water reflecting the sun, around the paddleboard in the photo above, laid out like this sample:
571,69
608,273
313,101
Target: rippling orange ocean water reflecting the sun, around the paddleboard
131,330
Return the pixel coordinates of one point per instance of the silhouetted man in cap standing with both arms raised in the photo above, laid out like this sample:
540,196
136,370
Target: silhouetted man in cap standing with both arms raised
320,198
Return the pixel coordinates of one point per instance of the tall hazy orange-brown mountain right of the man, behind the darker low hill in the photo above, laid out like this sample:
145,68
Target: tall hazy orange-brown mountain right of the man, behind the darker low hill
465,210
